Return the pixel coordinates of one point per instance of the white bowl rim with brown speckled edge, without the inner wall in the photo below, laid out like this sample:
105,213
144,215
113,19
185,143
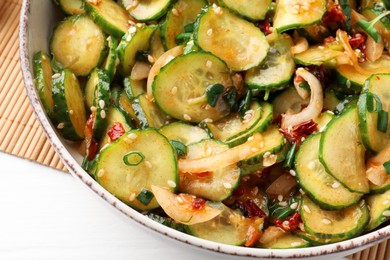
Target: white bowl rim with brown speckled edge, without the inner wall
76,170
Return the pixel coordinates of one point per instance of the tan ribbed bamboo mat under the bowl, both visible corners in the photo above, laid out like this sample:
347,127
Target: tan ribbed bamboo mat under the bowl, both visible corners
20,132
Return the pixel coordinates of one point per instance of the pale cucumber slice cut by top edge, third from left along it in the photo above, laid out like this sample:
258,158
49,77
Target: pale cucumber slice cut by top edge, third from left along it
147,10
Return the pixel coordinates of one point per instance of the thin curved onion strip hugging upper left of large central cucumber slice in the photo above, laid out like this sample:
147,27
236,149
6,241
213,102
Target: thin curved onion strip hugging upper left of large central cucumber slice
160,62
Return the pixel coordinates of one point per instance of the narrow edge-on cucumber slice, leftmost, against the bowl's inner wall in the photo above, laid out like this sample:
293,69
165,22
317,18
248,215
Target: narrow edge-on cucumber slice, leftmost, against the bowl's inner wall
43,80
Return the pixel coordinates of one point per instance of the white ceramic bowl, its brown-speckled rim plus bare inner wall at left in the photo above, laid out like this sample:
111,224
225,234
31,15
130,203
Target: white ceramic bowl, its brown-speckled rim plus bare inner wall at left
36,23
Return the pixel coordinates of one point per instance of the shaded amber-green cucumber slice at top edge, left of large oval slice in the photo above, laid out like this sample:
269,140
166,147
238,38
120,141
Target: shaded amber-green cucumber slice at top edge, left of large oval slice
183,12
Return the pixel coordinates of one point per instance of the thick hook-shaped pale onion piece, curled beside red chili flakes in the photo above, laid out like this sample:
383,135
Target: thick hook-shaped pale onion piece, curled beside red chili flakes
315,106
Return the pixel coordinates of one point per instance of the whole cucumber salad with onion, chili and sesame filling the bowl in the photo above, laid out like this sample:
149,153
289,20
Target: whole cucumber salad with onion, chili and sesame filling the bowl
251,123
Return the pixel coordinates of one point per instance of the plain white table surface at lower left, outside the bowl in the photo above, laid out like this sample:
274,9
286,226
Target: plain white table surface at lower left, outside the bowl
47,214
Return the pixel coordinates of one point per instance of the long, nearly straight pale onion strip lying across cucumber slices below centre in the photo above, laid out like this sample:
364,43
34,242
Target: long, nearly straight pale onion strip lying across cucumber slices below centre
223,159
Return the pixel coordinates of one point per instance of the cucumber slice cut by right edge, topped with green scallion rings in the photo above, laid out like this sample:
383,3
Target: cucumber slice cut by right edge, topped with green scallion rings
374,139
